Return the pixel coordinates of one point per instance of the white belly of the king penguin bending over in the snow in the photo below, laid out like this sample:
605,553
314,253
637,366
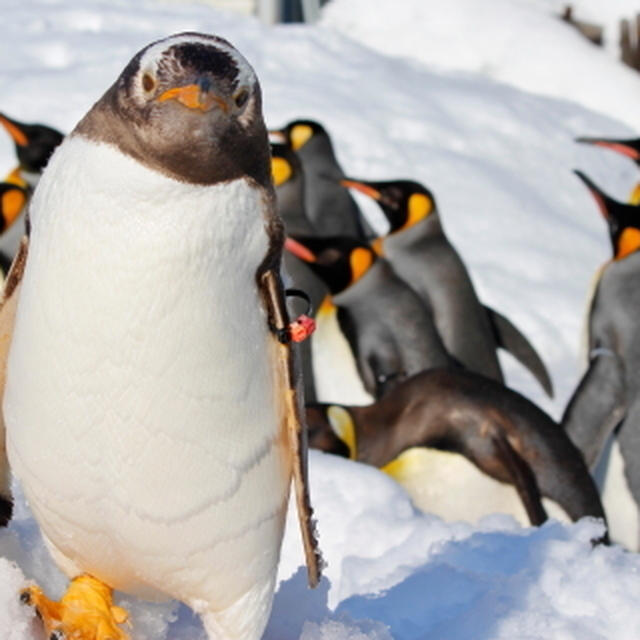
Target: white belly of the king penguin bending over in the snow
449,486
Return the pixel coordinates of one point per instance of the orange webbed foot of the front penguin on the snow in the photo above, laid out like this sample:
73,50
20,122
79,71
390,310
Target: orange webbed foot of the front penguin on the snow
85,612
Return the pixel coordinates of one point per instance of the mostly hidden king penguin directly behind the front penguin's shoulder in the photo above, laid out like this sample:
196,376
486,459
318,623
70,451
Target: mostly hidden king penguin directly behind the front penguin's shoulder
289,183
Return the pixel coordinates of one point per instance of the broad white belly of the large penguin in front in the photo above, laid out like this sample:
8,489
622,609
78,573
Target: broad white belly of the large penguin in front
141,401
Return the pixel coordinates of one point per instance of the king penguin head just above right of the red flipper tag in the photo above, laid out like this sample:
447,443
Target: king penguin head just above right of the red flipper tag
338,261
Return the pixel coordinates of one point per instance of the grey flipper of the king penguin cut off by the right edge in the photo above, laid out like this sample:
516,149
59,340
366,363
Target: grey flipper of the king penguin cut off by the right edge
597,406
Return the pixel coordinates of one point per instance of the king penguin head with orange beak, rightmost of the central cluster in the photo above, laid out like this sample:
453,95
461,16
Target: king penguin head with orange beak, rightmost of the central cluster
403,202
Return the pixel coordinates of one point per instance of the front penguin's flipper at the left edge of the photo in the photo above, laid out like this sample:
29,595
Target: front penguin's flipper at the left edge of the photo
8,303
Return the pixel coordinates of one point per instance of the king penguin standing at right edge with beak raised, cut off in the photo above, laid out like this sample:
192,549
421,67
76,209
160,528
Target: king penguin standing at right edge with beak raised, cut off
606,402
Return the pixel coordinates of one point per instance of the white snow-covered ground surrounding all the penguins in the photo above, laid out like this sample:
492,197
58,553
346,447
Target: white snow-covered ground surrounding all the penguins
499,160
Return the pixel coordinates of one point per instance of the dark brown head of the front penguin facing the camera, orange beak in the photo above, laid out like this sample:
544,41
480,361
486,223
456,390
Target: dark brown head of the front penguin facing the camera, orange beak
188,106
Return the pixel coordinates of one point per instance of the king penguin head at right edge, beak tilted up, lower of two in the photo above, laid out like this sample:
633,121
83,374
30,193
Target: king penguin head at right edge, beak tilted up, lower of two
623,220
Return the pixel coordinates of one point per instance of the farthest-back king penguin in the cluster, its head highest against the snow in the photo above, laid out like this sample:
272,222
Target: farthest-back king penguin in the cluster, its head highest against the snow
331,209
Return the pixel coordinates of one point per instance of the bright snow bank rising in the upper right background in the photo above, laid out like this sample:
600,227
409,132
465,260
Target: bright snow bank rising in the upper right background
522,44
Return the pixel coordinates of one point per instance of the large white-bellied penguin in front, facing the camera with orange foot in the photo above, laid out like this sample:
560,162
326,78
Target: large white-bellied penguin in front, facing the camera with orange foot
150,409
